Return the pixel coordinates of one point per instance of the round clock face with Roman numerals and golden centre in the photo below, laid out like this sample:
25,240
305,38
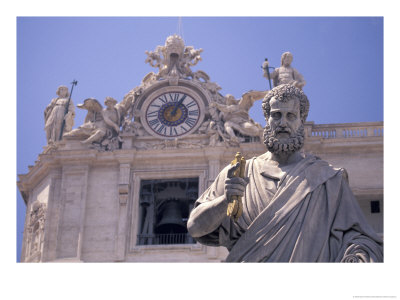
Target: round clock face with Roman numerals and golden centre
172,114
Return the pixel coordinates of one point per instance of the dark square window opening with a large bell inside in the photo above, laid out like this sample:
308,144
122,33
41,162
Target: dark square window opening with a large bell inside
165,206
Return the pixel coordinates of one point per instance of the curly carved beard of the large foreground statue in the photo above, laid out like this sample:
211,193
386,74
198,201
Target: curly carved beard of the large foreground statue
283,146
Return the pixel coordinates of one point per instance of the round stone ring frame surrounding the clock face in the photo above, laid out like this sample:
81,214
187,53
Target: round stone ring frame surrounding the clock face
168,89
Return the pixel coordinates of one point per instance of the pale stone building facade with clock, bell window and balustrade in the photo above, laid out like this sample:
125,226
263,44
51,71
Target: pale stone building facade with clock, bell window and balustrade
102,195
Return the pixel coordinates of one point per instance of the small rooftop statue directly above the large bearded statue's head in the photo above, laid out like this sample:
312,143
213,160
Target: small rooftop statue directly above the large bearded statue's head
285,74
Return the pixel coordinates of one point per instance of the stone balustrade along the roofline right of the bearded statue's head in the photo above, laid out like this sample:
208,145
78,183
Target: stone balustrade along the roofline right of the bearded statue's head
344,130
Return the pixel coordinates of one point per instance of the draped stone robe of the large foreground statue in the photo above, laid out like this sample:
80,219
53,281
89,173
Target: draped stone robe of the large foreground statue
306,214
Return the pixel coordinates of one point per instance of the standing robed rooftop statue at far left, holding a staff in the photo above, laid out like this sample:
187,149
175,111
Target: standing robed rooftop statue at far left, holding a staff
54,115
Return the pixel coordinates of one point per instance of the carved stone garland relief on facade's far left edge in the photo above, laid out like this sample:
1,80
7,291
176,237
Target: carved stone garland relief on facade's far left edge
35,229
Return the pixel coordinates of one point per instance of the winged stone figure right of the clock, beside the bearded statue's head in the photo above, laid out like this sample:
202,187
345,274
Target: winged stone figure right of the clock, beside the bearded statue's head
235,115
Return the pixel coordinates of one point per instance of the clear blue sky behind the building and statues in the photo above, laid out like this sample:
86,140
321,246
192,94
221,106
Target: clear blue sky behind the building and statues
340,58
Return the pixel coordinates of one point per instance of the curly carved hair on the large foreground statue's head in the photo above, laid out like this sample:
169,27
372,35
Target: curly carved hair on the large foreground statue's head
283,93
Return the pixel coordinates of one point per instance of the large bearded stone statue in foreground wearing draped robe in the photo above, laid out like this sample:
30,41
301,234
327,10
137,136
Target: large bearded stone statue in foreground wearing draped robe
296,207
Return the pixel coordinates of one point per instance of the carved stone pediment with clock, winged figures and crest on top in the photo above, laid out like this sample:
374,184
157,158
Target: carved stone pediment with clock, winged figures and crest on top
188,104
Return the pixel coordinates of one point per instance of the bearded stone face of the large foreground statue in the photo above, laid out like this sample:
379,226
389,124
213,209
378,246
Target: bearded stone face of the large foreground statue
284,132
